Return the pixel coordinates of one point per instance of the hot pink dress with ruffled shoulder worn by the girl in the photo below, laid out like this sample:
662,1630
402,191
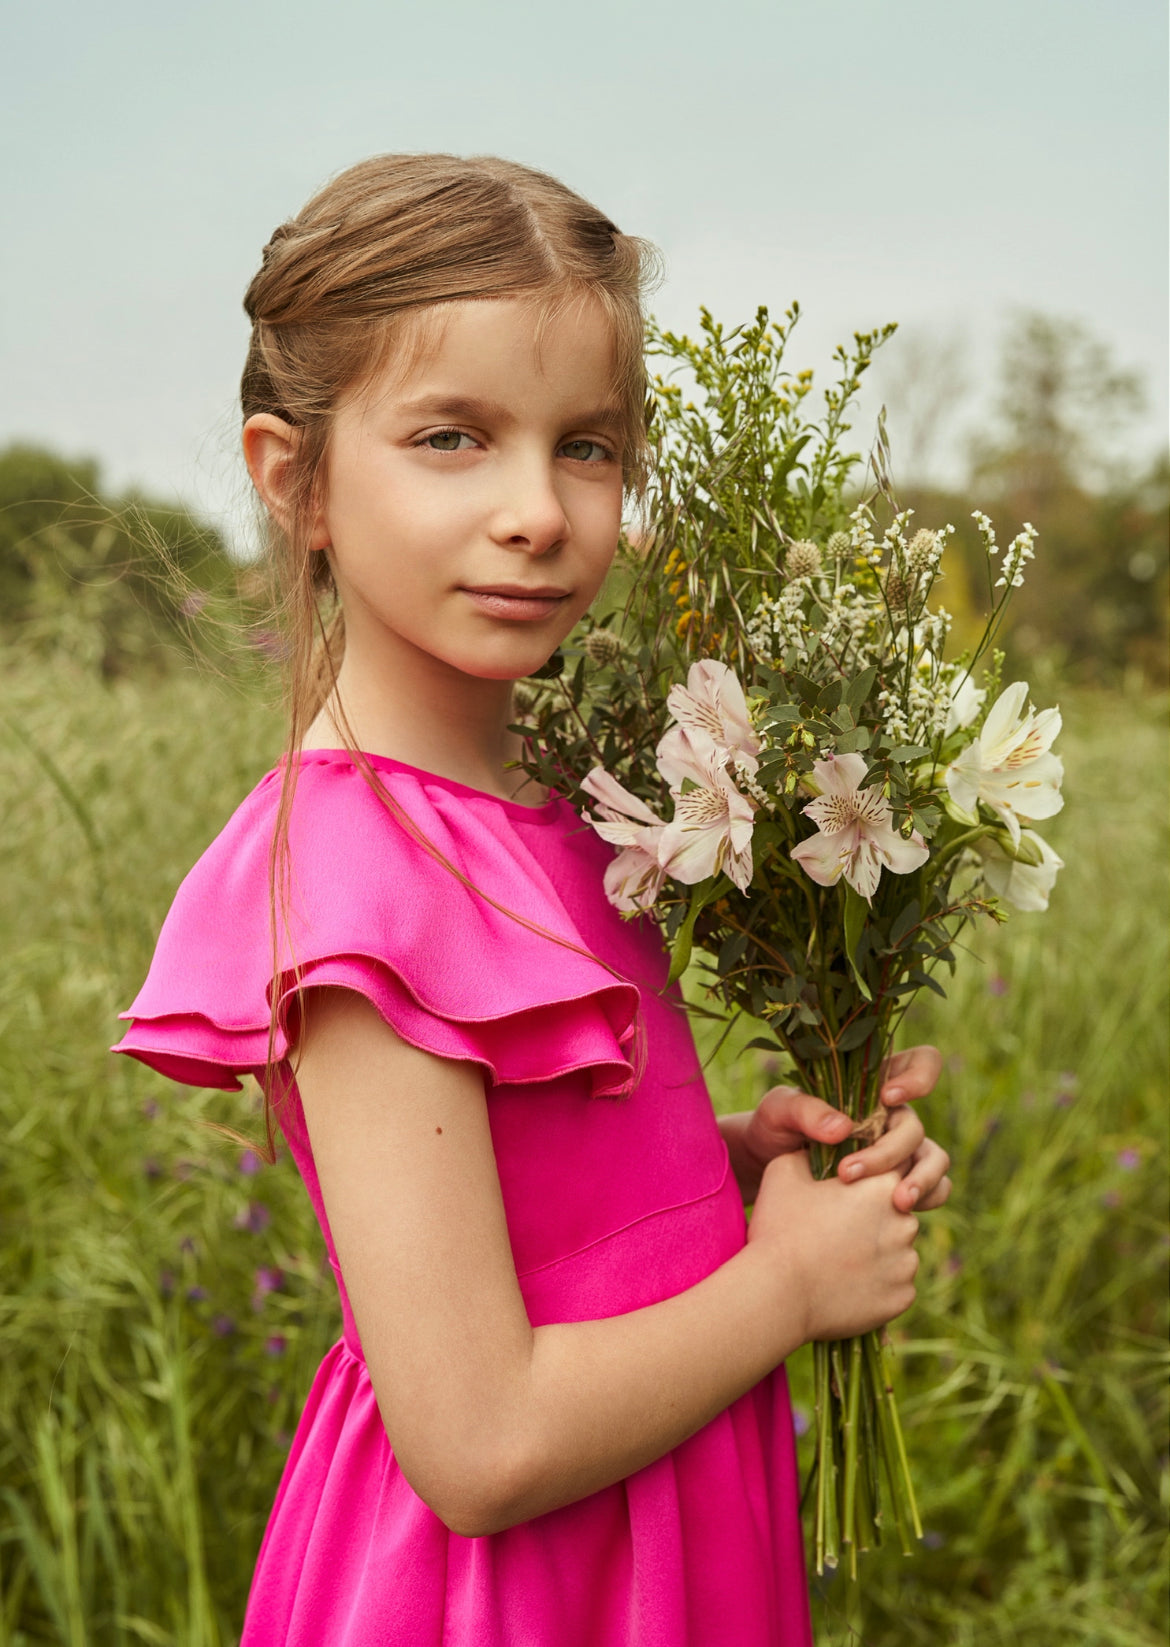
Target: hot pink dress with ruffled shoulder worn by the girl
617,1193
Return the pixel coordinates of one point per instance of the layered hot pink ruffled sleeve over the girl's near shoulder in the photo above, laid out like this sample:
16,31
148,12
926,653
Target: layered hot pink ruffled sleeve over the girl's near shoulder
370,910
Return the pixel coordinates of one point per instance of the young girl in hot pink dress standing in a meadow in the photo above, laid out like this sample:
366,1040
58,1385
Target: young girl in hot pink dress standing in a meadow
558,1416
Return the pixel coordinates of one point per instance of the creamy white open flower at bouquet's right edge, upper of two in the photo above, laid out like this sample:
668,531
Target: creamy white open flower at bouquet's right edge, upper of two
1009,765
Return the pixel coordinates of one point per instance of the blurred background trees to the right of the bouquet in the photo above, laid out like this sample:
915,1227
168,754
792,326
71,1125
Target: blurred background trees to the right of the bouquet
1055,452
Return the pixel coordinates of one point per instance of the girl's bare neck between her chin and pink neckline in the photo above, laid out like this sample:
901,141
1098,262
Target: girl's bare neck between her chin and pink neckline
413,707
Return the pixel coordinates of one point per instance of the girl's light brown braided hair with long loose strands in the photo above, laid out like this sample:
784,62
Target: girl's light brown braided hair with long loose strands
358,278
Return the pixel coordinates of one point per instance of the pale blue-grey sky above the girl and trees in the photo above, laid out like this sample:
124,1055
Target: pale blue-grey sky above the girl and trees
934,162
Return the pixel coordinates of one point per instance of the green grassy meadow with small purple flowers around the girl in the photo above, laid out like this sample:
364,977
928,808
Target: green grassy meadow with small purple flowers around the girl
164,1297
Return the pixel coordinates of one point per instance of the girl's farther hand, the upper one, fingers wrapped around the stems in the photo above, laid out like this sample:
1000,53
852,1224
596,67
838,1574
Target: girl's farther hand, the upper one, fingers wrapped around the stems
787,1121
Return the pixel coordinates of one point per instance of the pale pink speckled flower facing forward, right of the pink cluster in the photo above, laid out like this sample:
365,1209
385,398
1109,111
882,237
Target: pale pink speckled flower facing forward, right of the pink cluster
856,834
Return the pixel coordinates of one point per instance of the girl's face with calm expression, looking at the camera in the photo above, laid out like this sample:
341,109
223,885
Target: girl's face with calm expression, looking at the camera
474,506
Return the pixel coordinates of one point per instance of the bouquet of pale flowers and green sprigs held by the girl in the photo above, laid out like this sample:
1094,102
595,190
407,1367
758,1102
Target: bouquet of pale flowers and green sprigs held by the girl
807,793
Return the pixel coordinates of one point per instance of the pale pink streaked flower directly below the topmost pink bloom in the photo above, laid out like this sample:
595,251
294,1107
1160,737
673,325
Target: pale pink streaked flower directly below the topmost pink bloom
711,831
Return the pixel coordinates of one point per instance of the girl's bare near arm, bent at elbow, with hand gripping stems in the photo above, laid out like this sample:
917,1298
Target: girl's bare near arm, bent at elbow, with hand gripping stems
494,1422
